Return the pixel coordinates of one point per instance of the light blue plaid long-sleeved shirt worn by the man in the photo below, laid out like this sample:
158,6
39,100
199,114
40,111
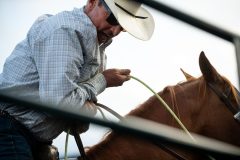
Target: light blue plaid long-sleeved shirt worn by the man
60,61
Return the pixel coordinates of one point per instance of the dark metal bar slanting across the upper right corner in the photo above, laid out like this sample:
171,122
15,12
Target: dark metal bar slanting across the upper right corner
210,28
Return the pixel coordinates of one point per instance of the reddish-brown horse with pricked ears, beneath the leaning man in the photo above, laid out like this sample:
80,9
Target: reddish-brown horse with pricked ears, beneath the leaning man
197,106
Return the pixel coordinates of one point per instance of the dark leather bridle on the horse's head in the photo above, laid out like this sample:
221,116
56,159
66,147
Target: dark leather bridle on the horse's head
224,97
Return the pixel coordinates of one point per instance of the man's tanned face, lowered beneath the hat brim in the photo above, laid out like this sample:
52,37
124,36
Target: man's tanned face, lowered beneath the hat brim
100,18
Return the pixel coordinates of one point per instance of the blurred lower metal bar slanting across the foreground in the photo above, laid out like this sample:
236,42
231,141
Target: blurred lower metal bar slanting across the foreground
132,125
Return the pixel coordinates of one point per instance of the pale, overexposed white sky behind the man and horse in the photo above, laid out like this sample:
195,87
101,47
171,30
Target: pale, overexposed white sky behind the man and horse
157,62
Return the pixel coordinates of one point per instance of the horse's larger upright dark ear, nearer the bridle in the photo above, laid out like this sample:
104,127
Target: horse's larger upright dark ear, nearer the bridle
209,72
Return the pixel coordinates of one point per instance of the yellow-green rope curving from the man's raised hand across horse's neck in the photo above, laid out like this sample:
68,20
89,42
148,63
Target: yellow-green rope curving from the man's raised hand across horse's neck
166,106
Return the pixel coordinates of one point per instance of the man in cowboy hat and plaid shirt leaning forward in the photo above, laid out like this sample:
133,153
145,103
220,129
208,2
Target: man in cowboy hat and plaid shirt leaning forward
62,61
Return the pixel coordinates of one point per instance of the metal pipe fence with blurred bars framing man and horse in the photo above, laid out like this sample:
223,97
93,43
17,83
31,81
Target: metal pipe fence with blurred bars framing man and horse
154,132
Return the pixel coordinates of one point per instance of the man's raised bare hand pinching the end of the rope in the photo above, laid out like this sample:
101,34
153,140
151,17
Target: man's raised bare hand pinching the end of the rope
116,77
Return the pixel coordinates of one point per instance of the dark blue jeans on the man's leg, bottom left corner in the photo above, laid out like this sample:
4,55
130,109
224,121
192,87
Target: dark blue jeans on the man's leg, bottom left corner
13,145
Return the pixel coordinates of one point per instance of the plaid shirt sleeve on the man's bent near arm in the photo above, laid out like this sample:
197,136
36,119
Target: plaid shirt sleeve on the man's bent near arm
59,60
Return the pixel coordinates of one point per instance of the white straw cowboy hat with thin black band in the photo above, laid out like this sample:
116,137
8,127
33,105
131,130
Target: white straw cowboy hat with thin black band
132,17
